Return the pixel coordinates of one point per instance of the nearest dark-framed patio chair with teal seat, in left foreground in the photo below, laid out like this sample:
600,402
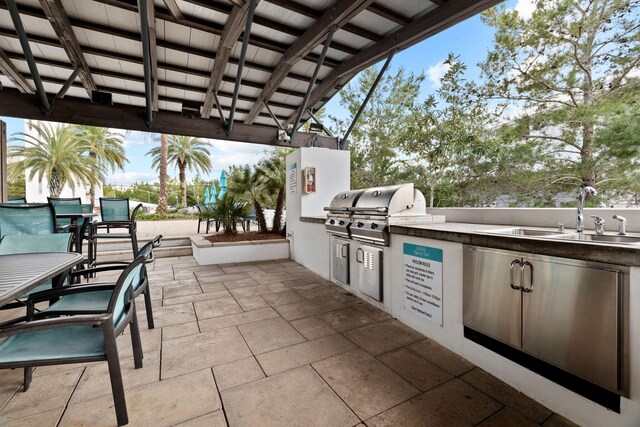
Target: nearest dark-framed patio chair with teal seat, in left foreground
87,337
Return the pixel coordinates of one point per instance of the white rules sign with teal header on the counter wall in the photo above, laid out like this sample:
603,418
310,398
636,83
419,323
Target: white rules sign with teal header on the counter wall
423,281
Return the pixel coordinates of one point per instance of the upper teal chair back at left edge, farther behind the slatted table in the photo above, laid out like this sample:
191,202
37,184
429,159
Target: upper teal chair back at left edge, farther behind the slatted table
33,218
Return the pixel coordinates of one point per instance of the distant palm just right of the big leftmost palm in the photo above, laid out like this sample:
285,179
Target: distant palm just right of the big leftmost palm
106,147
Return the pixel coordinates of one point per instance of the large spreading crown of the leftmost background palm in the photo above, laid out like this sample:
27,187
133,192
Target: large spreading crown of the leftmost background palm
57,154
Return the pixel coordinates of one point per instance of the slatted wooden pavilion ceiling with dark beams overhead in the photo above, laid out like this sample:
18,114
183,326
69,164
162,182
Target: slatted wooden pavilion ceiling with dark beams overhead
188,55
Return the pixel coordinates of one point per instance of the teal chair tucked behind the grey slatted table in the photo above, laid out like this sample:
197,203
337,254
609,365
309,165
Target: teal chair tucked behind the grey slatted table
23,244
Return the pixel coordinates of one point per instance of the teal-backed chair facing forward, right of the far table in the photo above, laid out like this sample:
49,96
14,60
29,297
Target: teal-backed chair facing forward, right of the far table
115,215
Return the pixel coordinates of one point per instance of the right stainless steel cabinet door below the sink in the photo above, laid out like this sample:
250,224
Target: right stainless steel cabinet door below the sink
570,318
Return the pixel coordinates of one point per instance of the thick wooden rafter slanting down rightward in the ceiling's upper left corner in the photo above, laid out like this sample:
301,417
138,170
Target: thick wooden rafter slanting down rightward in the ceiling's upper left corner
59,20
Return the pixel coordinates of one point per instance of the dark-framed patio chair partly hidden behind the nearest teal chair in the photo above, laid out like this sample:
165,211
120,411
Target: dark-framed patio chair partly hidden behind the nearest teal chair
140,284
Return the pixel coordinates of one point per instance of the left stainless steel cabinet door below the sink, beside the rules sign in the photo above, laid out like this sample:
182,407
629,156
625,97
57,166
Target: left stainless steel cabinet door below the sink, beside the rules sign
491,305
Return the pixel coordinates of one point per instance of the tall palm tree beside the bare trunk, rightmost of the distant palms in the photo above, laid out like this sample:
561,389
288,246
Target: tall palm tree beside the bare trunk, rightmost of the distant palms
184,152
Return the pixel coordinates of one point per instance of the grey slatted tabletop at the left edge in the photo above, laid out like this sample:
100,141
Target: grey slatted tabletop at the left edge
20,273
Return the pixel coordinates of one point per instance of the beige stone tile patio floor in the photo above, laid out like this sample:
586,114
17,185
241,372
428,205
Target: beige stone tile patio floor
270,344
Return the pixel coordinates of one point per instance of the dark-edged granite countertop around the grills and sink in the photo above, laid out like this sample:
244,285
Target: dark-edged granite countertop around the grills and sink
475,234
